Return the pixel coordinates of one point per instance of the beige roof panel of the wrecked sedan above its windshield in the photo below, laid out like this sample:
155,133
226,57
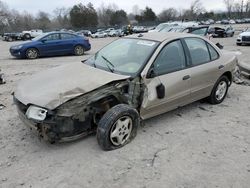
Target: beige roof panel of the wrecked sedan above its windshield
160,36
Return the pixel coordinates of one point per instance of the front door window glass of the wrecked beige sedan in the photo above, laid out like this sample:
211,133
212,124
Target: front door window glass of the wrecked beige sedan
170,59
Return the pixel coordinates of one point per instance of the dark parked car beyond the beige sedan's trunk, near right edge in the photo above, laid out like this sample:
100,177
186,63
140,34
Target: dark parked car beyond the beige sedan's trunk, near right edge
221,31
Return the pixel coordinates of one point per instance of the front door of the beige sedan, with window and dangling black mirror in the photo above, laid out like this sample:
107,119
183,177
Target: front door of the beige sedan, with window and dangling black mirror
168,73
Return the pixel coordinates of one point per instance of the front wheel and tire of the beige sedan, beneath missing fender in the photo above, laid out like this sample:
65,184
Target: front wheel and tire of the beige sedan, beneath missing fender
117,127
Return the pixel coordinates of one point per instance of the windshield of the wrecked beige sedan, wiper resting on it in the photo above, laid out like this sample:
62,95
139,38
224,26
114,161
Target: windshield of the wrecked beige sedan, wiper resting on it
123,56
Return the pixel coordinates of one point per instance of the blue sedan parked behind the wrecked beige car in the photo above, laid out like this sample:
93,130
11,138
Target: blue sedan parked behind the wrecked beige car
52,44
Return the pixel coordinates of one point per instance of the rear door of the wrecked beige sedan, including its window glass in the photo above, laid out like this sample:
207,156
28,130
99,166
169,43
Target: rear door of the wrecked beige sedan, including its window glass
205,68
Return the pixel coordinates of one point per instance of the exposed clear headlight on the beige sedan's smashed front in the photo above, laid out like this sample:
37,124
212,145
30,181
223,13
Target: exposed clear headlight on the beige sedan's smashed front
36,113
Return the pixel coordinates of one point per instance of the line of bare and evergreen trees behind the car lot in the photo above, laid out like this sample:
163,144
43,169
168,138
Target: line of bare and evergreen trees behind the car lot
86,16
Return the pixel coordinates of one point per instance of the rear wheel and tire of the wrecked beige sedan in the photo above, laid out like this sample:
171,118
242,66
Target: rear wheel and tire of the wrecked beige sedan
219,91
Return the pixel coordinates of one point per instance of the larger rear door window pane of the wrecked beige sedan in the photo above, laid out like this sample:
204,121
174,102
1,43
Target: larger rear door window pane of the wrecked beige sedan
198,50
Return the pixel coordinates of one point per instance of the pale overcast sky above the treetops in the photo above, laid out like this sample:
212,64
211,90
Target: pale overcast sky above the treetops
33,6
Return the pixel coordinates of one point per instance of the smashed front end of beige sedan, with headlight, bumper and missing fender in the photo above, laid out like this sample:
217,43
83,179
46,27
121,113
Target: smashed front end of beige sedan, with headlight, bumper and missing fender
79,116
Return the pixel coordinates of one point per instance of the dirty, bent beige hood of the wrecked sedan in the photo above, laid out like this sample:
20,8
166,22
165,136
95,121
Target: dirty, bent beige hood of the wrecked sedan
51,88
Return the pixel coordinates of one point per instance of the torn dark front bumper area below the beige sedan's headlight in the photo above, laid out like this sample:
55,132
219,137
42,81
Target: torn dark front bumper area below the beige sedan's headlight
55,128
